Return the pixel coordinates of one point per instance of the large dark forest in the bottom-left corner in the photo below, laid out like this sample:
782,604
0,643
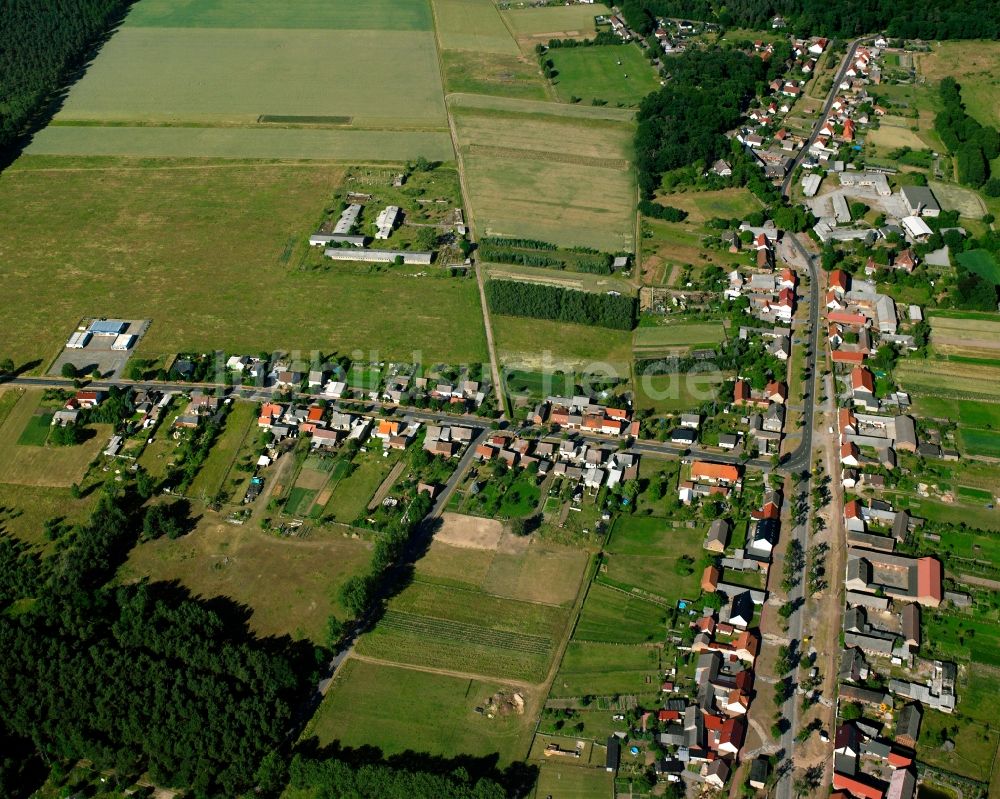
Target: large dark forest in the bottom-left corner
138,677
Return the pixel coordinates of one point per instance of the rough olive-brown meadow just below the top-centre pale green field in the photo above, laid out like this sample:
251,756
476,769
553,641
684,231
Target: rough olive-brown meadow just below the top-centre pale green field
509,75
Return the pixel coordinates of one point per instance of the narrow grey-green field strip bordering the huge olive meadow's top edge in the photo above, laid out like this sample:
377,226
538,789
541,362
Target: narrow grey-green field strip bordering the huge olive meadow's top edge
242,143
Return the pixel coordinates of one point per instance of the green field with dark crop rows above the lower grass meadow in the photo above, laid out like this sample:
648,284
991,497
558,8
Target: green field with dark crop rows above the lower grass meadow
471,632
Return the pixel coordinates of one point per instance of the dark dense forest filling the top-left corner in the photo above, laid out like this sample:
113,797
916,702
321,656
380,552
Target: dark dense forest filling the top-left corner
40,45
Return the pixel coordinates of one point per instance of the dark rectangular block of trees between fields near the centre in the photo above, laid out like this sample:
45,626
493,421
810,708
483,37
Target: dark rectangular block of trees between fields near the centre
539,301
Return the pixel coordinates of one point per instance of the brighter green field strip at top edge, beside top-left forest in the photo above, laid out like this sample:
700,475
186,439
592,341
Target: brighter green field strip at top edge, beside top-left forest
331,14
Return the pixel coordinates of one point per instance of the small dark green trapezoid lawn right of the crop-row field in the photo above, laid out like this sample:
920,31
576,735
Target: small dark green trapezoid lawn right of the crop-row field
610,616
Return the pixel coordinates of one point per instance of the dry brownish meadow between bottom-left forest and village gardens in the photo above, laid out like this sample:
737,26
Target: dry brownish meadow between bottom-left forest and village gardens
289,584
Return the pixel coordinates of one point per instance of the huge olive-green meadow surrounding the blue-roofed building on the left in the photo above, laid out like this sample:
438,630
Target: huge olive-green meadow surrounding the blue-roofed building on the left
194,215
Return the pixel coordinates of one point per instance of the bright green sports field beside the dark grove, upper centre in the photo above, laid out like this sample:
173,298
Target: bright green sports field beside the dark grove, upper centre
618,74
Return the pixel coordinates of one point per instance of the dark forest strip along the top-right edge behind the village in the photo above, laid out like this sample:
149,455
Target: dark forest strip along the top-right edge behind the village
910,19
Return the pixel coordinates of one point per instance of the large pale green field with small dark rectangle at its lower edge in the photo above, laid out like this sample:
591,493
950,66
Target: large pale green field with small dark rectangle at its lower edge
217,76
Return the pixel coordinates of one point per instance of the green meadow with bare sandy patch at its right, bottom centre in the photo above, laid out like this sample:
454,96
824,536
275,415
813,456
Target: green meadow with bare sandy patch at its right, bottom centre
397,709
